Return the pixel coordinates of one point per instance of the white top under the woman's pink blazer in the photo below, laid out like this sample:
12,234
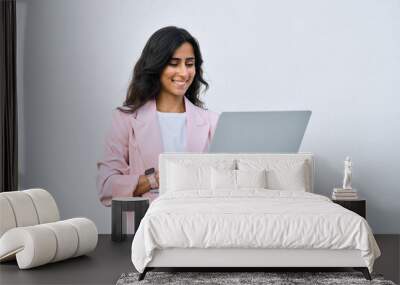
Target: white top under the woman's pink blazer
173,131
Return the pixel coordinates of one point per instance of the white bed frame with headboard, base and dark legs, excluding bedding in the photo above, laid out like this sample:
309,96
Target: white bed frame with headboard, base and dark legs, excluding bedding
252,258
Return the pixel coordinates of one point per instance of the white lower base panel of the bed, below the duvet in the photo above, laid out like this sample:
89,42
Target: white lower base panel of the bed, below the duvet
234,257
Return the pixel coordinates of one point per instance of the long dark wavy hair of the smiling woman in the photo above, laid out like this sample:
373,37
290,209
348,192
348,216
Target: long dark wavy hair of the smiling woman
159,49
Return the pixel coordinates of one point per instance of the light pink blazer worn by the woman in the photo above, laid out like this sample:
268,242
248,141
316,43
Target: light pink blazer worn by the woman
134,143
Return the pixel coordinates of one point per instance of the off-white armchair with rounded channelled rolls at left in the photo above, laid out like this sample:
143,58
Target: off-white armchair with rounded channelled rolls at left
31,232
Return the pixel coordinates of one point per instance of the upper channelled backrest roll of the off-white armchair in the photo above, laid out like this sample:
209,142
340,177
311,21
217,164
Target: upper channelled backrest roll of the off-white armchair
26,208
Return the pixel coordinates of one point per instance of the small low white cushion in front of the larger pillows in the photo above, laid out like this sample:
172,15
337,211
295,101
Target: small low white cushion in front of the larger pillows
237,179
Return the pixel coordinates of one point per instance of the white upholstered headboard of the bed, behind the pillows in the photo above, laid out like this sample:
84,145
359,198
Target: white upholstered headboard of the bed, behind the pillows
236,159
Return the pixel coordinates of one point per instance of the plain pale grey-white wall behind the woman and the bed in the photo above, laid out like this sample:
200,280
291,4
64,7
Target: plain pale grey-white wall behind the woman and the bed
340,59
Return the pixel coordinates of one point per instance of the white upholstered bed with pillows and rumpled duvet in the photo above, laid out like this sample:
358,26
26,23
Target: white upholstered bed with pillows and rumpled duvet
247,210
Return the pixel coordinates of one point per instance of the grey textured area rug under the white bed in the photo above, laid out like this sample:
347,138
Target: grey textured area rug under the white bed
269,278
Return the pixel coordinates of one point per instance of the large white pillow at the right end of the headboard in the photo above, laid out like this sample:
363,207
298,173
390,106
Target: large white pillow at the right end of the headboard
281,174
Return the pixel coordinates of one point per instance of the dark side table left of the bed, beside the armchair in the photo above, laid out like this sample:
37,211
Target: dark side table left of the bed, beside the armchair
119,205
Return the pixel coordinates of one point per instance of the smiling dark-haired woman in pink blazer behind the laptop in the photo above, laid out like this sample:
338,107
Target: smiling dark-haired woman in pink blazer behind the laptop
162,112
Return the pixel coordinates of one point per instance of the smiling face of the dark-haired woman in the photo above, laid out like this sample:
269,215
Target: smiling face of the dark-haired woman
179,72
